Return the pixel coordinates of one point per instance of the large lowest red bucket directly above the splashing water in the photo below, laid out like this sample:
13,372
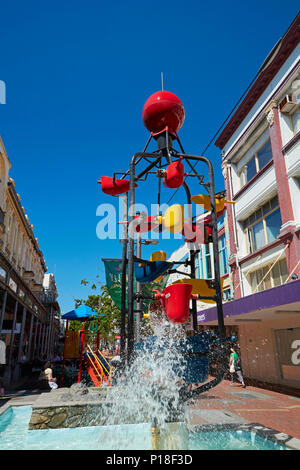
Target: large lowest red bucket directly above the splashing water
176,301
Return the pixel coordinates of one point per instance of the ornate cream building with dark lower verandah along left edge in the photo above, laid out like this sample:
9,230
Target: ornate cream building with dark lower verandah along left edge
29,317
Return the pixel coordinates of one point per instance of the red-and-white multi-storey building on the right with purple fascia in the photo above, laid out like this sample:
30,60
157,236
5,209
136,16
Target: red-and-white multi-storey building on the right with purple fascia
260,151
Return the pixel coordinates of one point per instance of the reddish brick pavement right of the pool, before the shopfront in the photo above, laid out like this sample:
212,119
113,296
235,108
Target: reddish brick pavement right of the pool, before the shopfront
233,404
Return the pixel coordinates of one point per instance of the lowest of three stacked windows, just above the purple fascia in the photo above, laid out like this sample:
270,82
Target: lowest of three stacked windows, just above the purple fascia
268,276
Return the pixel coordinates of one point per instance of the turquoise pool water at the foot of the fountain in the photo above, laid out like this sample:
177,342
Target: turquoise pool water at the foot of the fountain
14,435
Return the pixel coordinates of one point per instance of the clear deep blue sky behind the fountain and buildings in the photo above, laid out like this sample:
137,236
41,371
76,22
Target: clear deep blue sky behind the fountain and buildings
77,76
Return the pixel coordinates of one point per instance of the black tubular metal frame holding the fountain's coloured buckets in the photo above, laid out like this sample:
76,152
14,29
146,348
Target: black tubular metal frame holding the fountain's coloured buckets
157,160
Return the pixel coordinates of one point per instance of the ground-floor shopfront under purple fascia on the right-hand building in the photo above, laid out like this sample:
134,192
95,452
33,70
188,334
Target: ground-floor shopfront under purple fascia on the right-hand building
268,332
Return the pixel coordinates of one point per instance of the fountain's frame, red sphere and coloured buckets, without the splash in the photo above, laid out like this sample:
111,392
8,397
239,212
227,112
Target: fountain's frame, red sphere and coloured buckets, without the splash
163,116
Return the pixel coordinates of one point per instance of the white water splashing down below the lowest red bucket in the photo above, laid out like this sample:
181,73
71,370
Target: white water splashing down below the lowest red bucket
148,390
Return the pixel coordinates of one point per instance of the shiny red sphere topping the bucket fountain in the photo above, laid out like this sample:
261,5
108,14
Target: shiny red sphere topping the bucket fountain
163,109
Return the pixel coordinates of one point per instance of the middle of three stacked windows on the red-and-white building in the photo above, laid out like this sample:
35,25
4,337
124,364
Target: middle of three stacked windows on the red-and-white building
263,226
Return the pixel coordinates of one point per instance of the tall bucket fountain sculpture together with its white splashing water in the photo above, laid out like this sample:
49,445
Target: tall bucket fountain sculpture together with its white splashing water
163,116
